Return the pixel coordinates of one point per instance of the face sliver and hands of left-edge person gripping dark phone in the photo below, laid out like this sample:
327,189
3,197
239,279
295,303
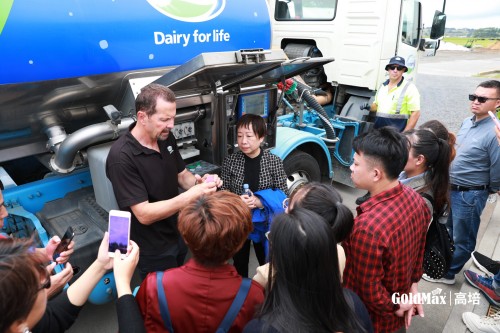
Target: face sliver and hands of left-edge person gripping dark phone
57,280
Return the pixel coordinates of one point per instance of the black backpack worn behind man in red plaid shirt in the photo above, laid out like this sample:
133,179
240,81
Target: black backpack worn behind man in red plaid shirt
439,246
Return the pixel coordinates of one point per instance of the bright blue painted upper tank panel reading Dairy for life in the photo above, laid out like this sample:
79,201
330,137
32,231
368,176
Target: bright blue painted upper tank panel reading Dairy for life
75,38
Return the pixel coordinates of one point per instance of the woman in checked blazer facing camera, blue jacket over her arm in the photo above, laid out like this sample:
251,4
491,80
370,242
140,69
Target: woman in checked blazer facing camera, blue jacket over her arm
266,178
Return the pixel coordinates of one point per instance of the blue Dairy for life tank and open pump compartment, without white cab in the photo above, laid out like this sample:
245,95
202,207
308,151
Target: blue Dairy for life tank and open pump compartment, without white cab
69,74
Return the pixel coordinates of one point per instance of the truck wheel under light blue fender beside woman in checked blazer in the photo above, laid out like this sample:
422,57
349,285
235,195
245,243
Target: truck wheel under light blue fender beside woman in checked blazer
301,168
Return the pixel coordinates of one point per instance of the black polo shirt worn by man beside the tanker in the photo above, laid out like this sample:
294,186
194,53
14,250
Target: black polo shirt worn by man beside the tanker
141,174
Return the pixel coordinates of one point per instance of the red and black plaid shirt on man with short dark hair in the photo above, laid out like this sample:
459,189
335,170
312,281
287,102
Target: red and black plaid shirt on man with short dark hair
385,251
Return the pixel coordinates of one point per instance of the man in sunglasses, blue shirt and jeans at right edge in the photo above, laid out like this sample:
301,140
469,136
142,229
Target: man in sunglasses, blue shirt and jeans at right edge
474,175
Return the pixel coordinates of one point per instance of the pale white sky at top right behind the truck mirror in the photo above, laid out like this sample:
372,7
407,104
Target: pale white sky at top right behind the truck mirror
464,14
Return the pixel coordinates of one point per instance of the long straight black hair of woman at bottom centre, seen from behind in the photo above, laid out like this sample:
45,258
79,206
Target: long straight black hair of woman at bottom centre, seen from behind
305,292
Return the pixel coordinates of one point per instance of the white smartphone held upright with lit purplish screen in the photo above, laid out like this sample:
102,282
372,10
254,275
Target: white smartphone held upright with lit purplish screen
119,232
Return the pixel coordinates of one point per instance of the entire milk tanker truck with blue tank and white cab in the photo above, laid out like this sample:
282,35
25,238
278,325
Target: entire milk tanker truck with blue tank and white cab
70,71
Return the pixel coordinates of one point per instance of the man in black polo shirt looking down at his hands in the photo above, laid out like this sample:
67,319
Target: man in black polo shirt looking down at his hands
146,170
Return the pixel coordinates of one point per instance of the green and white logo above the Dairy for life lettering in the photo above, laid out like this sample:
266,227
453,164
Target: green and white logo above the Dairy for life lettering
189,10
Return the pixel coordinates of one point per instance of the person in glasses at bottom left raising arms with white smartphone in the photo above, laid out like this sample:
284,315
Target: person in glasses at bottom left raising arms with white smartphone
24,282
